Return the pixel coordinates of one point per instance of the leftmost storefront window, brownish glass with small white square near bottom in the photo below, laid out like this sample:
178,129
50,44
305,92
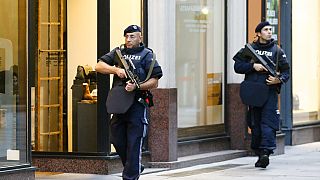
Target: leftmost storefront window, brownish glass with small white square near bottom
13,84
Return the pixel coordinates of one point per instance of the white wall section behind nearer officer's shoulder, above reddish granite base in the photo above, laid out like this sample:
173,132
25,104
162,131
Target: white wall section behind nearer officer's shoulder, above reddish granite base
161,38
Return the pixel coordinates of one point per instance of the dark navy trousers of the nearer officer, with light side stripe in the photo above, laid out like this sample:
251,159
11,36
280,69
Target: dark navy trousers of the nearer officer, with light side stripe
127,133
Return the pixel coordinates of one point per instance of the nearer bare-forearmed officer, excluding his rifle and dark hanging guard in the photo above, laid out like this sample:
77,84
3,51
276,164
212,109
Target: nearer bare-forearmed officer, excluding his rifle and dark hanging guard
129,129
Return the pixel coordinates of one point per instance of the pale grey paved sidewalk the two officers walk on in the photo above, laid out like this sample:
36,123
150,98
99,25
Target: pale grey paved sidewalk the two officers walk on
299,162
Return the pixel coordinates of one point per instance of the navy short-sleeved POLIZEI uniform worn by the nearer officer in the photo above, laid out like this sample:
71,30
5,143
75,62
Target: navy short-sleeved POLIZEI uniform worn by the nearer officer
129,129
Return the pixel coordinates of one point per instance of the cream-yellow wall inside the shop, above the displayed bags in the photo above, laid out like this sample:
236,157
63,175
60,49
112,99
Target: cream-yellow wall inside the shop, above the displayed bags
82,43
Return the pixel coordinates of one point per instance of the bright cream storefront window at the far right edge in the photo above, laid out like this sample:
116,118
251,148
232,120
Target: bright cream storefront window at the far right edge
305,61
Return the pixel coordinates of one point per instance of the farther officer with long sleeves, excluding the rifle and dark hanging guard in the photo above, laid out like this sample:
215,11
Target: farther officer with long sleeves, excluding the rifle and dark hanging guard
264,121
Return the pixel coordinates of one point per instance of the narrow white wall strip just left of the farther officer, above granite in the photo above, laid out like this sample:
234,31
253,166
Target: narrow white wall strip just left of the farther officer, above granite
236,35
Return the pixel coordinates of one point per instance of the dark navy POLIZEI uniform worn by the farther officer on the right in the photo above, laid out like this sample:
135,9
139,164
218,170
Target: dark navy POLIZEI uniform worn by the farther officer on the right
264,121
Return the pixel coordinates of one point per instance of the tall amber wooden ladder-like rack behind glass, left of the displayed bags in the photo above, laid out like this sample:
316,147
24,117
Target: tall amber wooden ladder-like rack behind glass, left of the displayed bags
49,77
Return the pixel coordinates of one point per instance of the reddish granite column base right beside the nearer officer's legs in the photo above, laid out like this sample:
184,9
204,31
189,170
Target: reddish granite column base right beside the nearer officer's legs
162,139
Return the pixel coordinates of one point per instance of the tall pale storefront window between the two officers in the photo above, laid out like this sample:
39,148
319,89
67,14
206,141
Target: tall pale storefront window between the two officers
200,62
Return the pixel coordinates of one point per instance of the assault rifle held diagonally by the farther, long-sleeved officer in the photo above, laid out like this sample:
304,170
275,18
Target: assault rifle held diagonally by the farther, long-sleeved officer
249,51
